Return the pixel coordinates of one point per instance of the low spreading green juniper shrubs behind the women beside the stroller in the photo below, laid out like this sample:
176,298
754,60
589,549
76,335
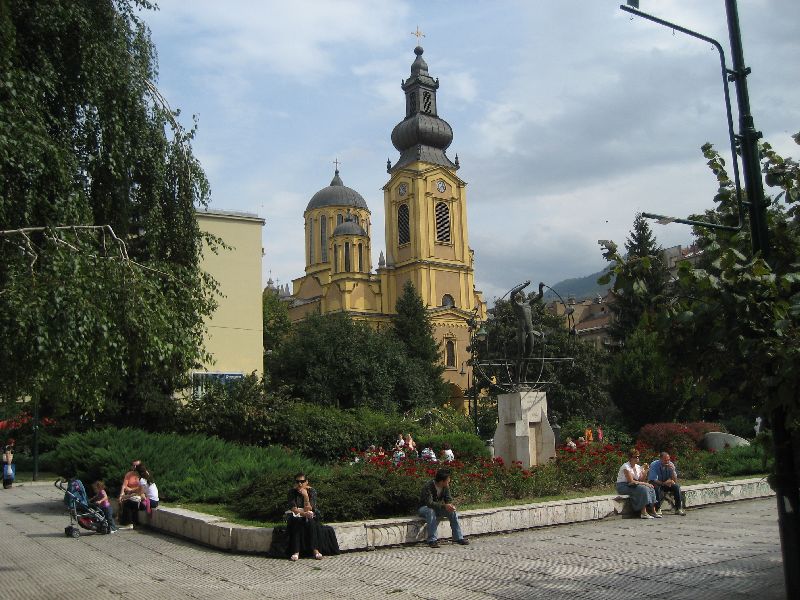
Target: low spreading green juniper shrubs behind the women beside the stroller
186,468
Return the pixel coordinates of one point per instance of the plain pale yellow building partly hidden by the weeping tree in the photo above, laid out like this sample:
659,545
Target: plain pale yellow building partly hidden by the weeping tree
234,334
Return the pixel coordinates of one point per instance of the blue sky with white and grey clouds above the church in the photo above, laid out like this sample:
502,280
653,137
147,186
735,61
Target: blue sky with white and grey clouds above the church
568,117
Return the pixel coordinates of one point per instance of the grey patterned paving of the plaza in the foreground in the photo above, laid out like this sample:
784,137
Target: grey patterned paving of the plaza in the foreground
728,551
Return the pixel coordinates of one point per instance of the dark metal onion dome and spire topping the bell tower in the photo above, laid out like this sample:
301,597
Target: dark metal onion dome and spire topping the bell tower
422,135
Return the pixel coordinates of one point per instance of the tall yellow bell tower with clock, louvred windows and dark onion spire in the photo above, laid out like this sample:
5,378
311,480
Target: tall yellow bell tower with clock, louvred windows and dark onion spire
425,202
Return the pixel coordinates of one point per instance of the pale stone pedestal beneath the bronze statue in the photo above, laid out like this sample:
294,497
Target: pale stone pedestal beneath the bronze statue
523,431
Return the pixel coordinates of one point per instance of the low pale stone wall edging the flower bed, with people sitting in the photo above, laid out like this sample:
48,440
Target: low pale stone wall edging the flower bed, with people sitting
218,533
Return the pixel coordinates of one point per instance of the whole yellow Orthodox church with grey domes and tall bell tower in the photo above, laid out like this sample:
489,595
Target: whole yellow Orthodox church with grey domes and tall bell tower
425,204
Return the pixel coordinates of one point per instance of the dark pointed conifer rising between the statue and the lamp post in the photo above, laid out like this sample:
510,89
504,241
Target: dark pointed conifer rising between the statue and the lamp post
650,276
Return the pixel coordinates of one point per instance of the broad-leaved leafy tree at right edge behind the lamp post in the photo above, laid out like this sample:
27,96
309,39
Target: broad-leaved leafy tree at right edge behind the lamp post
733,323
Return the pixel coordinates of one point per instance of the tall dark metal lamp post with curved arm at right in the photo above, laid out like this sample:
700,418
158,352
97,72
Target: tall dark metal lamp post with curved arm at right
786,478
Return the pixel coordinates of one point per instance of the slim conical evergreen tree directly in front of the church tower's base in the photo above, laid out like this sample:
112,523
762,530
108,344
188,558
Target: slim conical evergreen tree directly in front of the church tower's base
423,384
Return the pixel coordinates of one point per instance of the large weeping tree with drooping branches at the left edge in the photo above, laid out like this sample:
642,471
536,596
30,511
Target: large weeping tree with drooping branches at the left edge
101,297
